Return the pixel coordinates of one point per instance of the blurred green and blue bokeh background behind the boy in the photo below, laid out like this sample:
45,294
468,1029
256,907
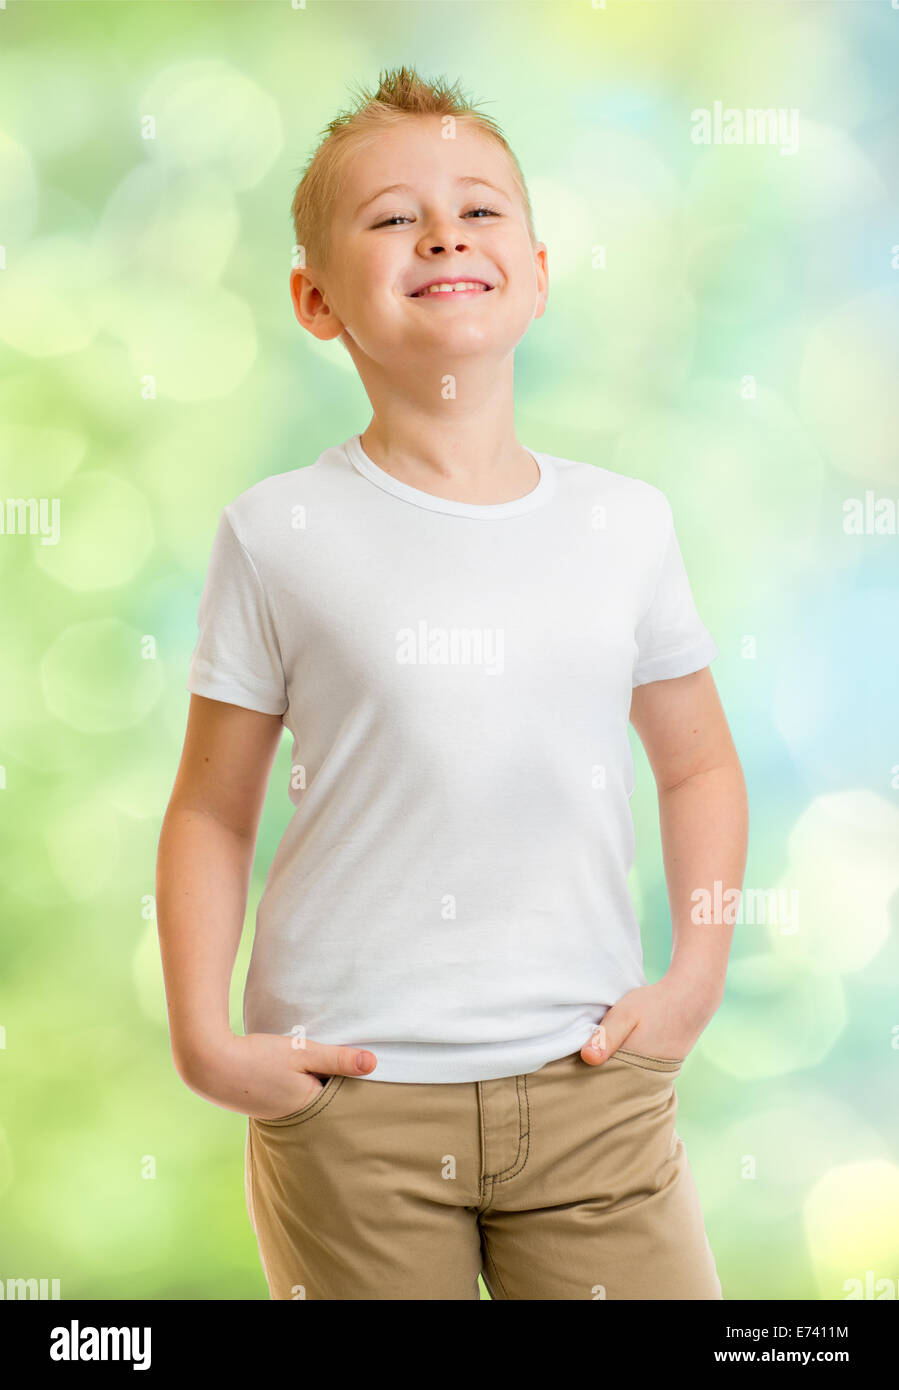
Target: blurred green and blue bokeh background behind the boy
739,348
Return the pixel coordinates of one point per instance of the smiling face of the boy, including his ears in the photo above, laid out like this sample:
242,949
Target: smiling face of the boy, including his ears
387,245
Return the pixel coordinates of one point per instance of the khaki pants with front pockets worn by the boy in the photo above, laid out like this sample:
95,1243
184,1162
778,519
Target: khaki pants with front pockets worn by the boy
570,1182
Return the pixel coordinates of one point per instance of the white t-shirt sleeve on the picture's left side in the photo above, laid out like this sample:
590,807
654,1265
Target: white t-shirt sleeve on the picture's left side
237,658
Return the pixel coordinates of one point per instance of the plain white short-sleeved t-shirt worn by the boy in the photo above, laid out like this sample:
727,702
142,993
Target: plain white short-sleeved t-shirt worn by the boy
451,890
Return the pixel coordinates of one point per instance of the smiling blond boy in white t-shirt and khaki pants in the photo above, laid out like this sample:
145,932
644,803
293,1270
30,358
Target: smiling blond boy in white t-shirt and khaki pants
455,629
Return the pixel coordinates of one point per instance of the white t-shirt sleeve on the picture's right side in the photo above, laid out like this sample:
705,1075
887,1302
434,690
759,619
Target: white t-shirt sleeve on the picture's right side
672,639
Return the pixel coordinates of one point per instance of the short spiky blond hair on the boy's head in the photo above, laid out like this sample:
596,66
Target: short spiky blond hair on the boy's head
401,94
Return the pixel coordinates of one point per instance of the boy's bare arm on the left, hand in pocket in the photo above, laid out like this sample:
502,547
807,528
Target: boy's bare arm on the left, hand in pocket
204,871
